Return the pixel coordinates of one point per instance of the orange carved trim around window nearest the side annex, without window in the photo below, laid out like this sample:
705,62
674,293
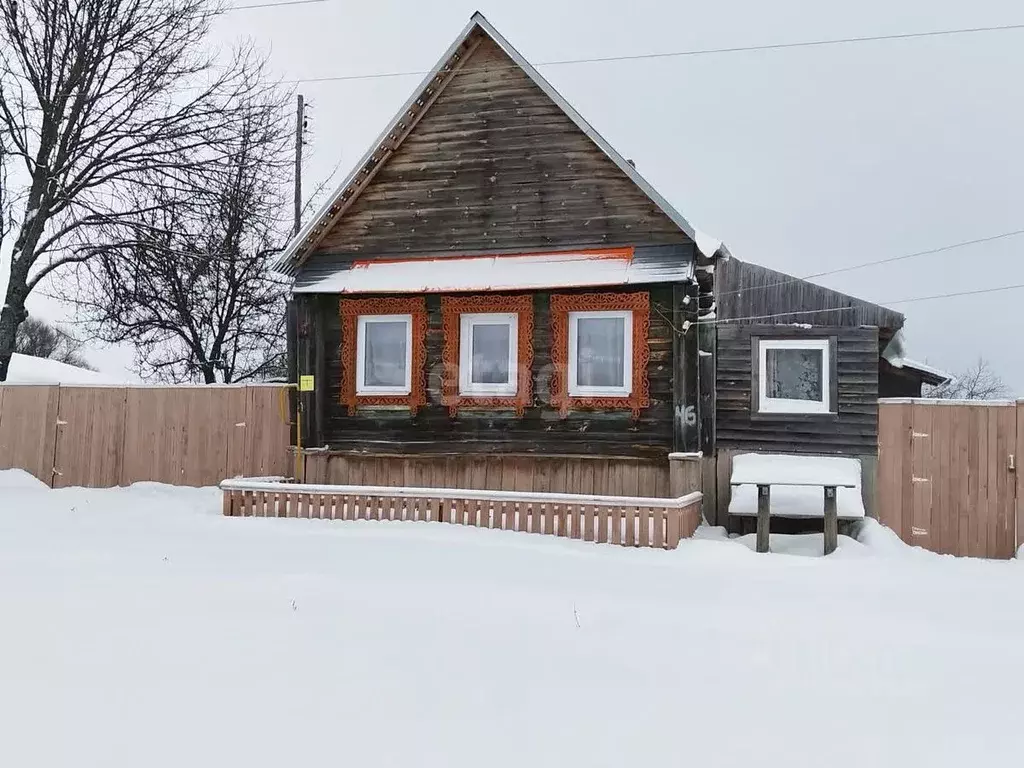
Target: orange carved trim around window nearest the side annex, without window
562,306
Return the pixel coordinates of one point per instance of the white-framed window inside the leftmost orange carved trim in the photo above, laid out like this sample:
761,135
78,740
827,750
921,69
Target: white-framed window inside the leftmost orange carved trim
385,355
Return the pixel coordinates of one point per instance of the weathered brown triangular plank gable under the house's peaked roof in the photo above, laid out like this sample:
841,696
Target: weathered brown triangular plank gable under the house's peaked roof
496,164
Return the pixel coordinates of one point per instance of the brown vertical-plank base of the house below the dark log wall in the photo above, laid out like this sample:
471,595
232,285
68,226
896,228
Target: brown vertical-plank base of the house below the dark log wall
539,475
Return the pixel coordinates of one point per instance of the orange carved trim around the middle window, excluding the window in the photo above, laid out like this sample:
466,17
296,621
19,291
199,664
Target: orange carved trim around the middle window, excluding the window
452,310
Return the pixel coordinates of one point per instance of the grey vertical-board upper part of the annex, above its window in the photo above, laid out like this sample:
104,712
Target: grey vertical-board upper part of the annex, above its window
749,293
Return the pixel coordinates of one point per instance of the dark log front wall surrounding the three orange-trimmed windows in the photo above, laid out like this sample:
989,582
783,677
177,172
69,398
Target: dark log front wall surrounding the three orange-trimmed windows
433,431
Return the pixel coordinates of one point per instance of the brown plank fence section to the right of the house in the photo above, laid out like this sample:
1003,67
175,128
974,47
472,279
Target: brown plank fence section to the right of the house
949,476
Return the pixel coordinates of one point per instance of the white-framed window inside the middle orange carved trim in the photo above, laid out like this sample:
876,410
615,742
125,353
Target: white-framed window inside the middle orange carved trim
489,354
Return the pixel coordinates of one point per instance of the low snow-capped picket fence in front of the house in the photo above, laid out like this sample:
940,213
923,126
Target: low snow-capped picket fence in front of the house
658,524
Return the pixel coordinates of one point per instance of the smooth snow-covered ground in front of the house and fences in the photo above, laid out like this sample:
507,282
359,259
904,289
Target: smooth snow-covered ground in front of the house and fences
141,628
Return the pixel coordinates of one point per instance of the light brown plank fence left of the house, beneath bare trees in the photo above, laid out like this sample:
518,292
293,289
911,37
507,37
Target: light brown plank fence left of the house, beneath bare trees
104,437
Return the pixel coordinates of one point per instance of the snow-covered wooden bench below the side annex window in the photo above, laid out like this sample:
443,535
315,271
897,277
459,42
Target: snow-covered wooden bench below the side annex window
790,486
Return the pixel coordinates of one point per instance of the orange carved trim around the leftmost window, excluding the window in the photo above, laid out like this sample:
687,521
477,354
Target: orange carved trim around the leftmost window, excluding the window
351,311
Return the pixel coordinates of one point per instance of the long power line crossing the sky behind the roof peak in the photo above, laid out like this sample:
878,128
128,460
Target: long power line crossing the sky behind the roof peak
698,52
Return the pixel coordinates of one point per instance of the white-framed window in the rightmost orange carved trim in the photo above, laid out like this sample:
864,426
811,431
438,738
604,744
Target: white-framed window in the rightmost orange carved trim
601,354
